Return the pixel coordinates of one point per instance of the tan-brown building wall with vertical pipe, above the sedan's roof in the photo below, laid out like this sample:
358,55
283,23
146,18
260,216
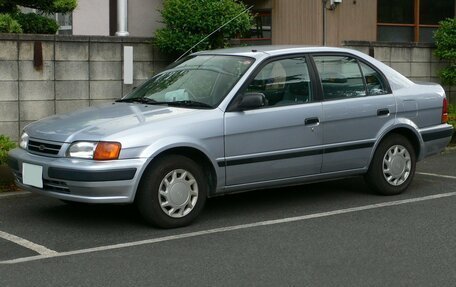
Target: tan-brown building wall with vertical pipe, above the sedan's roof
301,22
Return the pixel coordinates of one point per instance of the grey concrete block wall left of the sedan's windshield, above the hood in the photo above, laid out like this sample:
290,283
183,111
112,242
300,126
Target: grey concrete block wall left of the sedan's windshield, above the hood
76,72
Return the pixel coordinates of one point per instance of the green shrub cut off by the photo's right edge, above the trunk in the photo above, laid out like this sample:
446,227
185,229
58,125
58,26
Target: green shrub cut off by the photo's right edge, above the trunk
445,40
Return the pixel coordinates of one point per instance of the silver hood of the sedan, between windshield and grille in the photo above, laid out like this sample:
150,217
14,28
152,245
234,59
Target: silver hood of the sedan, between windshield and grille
97,123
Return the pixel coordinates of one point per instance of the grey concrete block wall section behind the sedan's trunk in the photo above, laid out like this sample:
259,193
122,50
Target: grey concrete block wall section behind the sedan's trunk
416,61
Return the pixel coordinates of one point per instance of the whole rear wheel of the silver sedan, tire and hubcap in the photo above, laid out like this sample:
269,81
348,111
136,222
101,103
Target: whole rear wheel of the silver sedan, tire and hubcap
393,166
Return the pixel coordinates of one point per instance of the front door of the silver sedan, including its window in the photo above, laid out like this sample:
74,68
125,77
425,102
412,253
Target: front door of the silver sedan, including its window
282,139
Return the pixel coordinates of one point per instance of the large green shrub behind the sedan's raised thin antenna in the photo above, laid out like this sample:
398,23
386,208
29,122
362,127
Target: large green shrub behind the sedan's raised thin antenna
189,21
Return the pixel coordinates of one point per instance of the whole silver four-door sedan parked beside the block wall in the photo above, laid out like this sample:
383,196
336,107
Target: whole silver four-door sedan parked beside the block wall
235,120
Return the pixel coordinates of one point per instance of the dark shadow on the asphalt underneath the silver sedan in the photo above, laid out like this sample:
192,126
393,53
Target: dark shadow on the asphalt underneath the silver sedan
244,207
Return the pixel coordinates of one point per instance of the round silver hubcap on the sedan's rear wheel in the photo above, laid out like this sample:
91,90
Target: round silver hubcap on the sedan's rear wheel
397,165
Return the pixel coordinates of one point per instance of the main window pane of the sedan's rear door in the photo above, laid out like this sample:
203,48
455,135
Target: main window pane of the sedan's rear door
340,77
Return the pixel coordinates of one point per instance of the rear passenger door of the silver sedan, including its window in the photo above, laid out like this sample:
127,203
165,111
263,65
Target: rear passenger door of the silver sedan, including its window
357,104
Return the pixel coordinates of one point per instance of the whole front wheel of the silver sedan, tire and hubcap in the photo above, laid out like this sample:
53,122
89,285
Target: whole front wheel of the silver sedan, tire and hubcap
172,192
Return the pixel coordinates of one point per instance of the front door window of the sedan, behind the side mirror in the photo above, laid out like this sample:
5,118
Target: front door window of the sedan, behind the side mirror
283,82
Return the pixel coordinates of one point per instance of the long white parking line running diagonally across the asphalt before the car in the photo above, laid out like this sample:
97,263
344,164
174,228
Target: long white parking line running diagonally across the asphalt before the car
228,228
